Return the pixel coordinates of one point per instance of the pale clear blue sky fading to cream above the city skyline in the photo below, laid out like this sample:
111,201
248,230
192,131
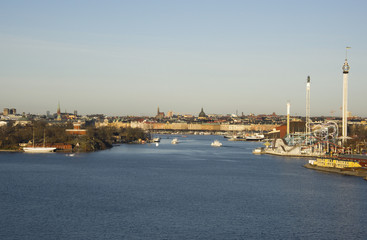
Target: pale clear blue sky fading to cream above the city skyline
128,57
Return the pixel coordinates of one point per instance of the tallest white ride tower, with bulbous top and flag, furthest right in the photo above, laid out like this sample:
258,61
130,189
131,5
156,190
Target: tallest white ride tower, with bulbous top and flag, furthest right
345,97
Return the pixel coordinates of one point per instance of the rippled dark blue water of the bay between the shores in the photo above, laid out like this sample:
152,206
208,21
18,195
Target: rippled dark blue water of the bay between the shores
185,191
